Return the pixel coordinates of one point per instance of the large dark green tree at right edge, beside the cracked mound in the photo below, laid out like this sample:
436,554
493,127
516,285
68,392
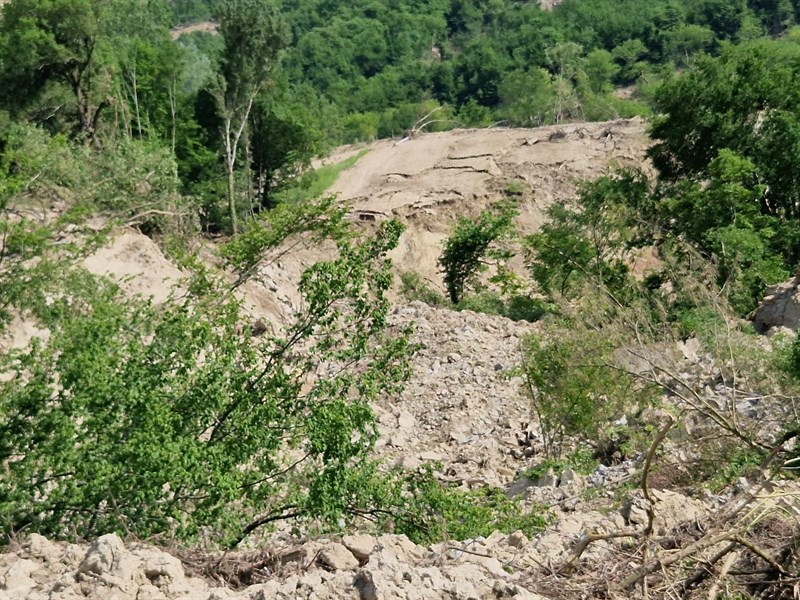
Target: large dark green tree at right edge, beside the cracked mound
745,101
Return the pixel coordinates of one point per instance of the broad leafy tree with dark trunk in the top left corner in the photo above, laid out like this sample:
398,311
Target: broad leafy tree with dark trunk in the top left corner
67,59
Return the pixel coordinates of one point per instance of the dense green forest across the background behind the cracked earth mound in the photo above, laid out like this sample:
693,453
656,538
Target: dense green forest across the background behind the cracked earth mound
285,81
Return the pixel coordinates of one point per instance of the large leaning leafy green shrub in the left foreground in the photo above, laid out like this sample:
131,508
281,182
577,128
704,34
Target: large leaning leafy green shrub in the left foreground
169,420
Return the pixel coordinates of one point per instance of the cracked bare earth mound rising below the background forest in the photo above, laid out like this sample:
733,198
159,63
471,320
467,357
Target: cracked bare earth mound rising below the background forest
431,180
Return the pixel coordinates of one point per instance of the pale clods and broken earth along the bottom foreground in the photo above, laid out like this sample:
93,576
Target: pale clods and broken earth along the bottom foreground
361,567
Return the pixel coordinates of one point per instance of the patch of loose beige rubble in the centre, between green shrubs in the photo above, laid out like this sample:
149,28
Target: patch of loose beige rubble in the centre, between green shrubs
461,407
